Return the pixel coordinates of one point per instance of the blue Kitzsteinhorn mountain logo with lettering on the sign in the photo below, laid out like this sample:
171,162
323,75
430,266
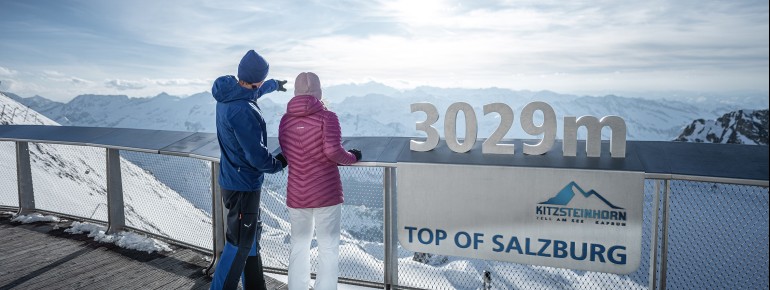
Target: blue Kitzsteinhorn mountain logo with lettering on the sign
600,212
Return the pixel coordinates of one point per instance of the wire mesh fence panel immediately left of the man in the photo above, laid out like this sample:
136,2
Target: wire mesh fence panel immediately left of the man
169,196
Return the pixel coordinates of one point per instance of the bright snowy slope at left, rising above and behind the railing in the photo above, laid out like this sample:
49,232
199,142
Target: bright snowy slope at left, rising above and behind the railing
71,179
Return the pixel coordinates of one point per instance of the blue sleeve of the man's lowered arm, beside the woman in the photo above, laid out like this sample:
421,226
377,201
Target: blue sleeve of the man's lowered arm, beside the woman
249,136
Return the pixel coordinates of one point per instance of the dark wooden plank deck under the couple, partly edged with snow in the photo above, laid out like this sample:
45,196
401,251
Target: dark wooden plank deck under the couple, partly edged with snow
43,256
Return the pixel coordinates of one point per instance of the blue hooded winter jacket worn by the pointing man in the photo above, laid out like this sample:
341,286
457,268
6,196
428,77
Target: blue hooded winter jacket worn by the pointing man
242,135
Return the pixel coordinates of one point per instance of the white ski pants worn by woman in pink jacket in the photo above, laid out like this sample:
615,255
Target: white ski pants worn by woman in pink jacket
327,230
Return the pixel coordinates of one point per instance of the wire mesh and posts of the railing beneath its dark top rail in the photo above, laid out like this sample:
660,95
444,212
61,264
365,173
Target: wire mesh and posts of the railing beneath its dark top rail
673,206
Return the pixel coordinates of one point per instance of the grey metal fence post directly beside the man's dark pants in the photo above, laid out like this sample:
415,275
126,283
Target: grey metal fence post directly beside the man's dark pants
217,219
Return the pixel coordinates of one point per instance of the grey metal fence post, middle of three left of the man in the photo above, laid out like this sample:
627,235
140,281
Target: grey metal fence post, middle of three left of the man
116,217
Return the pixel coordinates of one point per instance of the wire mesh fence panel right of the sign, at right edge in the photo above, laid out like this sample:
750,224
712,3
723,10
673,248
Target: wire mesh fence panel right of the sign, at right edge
718,236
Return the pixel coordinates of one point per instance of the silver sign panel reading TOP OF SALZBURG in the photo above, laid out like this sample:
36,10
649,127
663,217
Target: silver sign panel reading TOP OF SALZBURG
567,218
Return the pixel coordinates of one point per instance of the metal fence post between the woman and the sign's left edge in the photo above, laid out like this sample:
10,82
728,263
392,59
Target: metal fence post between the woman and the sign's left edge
390,231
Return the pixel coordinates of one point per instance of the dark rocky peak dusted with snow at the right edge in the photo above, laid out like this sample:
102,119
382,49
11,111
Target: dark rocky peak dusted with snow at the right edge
737,127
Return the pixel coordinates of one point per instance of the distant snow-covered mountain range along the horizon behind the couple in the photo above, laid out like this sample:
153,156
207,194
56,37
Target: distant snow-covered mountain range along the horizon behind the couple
376,110
